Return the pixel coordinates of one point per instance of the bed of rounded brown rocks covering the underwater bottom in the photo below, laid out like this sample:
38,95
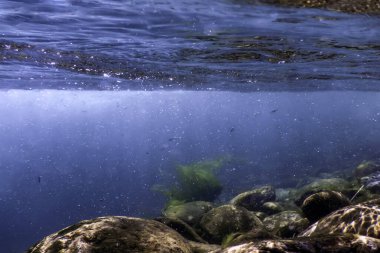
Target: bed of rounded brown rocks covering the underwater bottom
331,215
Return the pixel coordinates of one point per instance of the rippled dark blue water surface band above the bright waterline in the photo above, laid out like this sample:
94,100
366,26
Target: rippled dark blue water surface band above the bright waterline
217,45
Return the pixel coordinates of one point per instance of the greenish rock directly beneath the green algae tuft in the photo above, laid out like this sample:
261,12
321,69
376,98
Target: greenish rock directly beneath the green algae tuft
190,212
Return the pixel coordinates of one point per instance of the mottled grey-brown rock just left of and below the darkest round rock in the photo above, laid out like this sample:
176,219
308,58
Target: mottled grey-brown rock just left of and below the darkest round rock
286,224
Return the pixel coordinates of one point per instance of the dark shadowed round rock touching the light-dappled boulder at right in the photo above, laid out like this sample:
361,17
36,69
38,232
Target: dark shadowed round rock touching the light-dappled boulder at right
321,204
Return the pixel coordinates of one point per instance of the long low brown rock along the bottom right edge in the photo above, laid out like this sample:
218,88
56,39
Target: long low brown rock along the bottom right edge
347,243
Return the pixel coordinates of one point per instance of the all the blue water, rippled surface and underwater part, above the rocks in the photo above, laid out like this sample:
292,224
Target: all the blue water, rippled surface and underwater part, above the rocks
101,100
